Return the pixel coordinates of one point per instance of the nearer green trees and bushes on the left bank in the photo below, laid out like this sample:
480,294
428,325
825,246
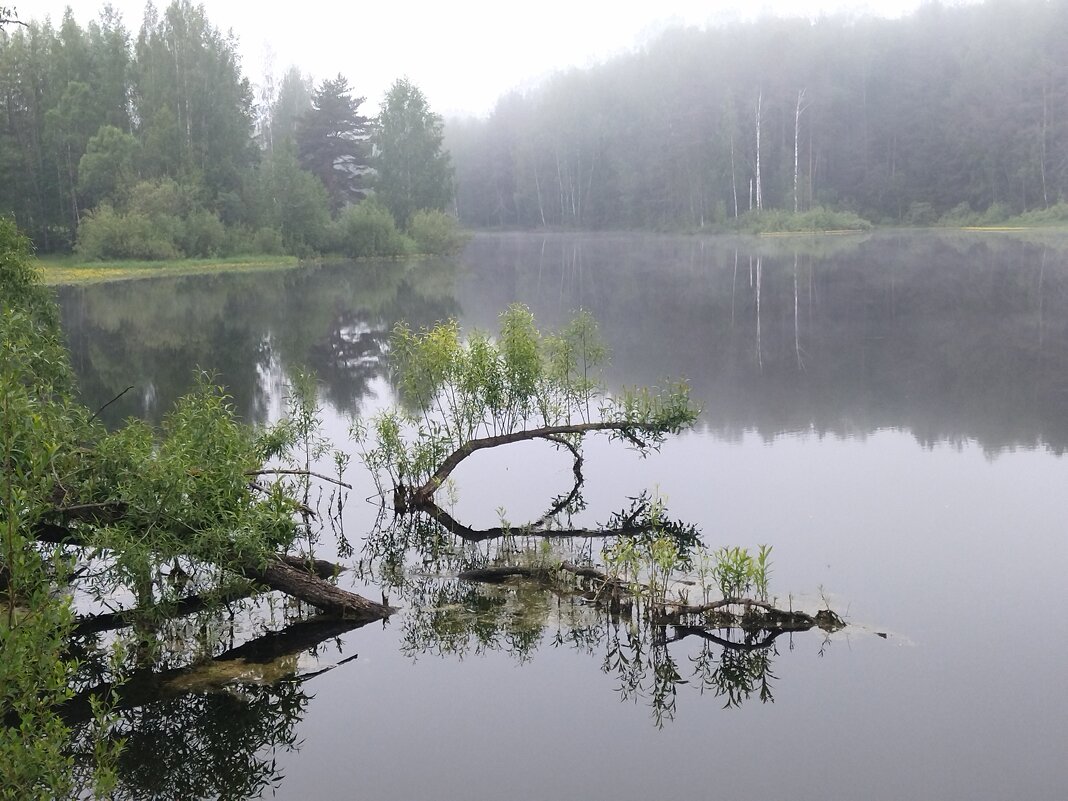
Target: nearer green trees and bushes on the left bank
154,147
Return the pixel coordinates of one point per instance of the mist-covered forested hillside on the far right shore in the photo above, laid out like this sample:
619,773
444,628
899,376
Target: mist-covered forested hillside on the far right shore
957,114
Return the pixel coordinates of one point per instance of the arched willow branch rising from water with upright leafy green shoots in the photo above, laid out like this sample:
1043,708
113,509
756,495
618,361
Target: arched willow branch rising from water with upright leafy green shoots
462,396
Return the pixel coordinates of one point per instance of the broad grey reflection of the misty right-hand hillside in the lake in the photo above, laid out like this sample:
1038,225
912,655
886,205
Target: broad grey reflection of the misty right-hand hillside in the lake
951,337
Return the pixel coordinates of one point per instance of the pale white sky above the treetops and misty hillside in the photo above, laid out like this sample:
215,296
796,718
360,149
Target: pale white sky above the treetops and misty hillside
463,55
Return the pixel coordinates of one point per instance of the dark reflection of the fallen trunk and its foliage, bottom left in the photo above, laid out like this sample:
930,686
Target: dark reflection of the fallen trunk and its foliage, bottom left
211,731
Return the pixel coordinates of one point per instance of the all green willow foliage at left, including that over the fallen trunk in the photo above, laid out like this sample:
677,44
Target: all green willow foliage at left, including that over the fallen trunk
185,502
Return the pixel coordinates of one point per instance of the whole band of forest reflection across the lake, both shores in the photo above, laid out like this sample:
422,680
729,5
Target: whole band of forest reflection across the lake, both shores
952,337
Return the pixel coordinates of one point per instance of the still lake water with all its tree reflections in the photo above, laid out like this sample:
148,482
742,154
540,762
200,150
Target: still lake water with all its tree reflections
888,413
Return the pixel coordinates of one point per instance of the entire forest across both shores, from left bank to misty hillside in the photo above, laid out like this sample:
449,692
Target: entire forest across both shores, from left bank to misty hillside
155,145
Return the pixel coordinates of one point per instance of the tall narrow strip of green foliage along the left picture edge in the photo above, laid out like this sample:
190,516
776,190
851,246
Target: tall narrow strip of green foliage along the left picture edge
41,436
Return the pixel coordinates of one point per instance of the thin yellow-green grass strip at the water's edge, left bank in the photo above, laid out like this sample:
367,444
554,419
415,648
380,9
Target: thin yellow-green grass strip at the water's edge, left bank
60,271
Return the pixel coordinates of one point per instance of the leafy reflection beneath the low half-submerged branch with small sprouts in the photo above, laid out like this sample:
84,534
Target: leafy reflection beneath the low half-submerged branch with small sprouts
453,618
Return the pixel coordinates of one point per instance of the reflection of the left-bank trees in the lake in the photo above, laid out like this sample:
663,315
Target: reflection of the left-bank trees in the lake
247,328
